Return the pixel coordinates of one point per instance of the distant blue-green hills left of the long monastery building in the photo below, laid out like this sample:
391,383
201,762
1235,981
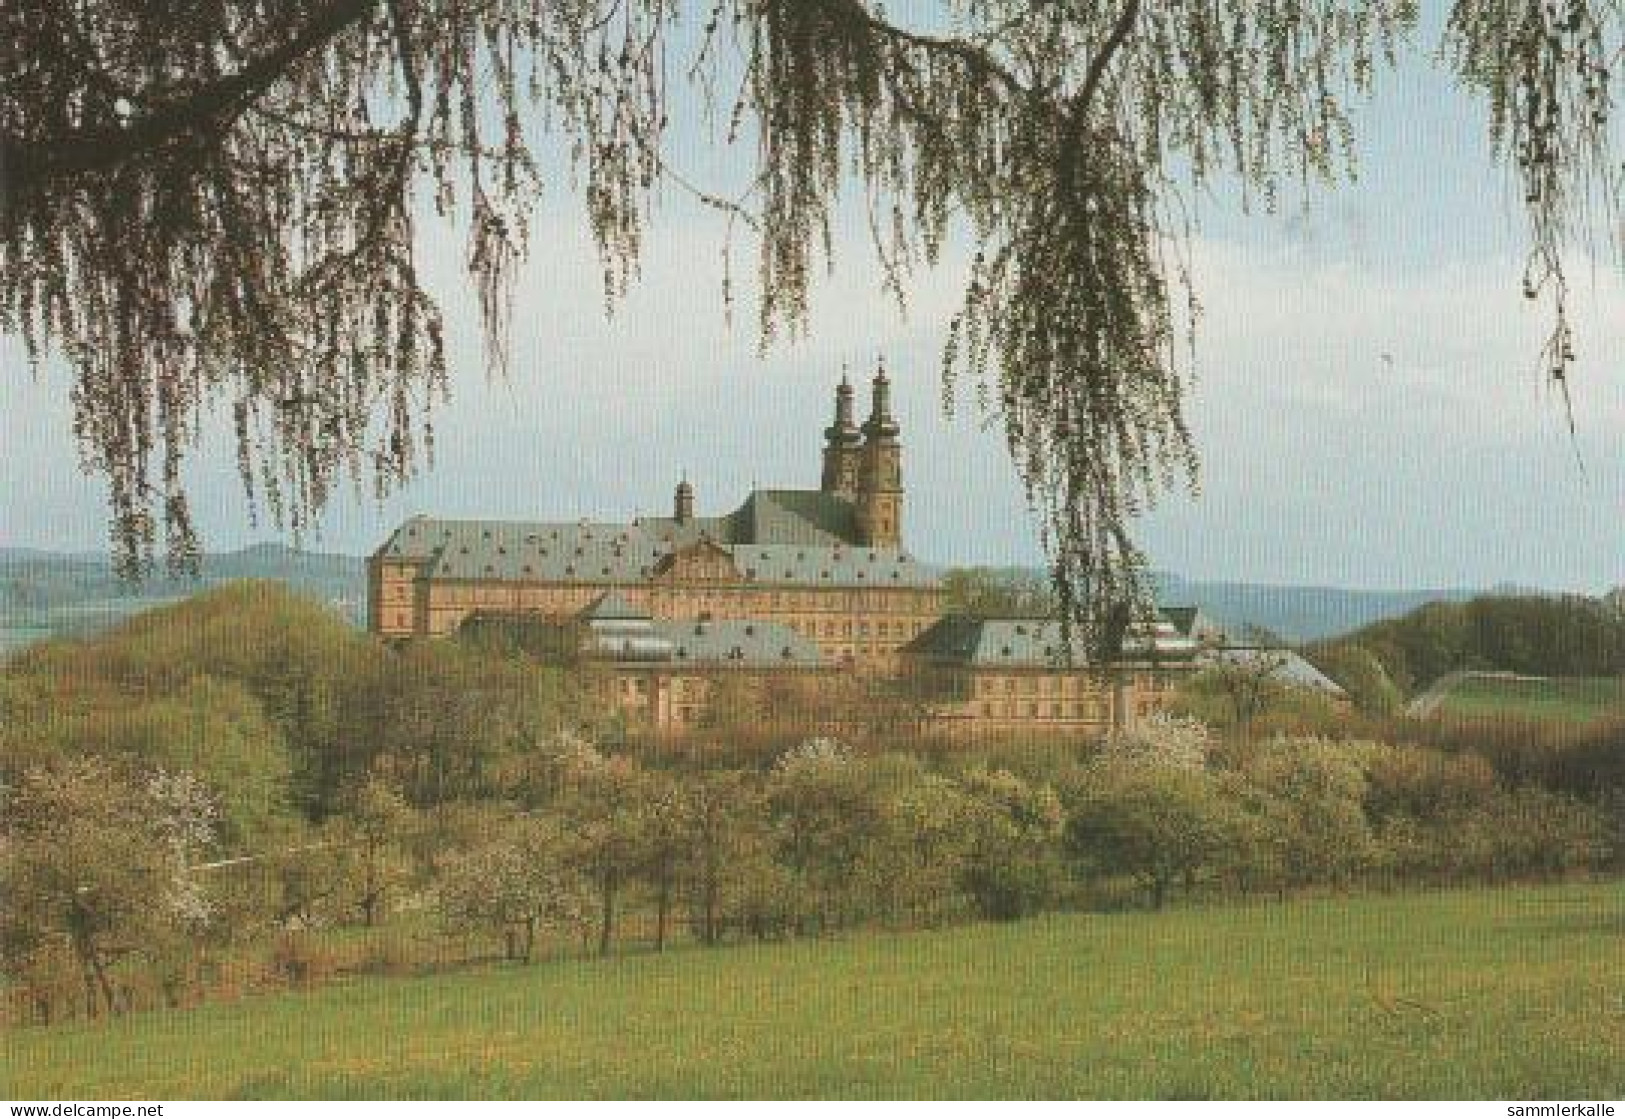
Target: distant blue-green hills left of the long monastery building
48,594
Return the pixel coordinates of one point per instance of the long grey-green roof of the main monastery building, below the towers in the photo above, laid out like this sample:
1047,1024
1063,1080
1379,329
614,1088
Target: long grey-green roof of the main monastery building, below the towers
778,538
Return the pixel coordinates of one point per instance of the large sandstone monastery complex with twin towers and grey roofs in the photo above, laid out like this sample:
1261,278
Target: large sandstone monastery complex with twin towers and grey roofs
799,585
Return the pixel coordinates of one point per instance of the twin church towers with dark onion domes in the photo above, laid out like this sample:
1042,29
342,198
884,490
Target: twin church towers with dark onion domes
864,465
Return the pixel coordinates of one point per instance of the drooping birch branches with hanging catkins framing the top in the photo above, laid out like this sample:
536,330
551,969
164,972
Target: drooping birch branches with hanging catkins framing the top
217,207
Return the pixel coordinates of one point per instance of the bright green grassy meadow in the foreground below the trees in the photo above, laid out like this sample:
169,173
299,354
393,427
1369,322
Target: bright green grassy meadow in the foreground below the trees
1514,993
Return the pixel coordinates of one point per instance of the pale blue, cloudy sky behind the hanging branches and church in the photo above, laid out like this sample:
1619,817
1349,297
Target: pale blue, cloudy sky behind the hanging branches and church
1322,464
